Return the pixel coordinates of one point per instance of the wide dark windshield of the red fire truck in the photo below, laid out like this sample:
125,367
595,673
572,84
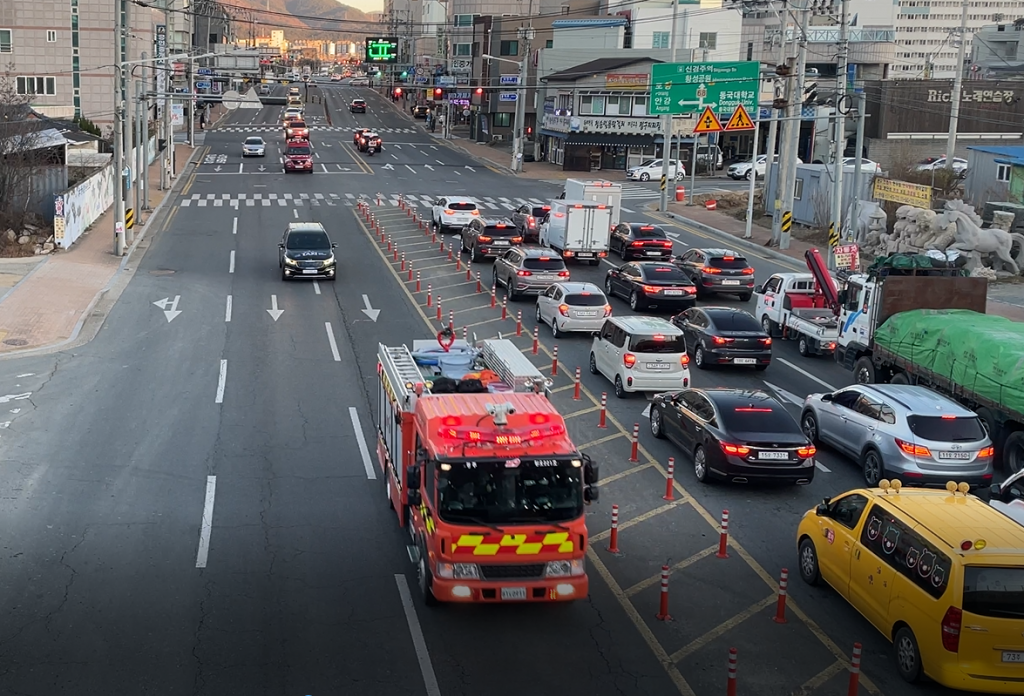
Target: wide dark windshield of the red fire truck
503,492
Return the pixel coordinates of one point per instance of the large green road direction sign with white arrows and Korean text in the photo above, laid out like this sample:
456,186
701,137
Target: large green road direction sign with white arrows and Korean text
689,88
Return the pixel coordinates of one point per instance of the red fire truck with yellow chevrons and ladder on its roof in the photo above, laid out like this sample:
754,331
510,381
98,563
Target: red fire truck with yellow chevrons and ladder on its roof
488,482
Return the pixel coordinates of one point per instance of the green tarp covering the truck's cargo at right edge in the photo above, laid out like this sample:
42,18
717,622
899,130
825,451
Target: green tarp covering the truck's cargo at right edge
982,354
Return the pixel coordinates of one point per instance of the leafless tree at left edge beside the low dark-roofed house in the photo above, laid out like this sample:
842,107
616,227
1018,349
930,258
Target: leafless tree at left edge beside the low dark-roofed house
21,155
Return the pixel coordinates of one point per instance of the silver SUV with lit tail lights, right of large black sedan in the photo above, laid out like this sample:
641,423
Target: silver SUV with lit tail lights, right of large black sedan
902,431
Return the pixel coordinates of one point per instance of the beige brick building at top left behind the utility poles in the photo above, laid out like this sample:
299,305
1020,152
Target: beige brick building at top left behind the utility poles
60,54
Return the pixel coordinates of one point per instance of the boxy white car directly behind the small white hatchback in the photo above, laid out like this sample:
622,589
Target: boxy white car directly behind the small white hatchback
641,355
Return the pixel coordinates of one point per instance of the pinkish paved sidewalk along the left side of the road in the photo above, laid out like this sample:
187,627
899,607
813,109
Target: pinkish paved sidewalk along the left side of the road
49,307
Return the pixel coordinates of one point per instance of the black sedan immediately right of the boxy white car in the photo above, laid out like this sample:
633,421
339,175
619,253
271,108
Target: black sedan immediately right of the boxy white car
724,336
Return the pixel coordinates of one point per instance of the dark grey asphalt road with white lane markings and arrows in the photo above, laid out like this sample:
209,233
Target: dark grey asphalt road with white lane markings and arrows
189,506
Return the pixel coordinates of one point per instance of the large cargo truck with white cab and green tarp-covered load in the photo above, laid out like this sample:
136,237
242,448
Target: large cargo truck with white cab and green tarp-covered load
914,321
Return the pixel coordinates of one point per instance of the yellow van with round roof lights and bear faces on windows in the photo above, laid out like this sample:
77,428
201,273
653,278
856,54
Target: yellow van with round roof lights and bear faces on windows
940,573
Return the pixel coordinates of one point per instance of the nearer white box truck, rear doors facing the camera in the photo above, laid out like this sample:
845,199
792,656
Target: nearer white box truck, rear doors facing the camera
578,230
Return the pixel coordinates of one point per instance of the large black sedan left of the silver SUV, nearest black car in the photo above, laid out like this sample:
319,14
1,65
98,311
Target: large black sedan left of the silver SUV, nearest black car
736,436
